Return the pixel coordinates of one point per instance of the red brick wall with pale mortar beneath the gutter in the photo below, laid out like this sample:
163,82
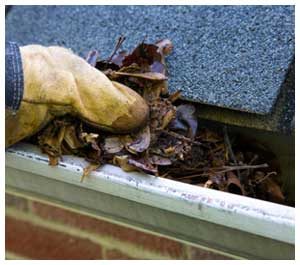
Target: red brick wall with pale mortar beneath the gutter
34,230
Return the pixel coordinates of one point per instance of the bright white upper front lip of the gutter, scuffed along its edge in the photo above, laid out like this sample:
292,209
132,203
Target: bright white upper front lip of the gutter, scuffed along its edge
254,216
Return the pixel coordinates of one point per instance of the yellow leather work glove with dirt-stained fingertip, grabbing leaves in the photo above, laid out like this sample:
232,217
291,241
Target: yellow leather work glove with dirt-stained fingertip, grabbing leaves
57,82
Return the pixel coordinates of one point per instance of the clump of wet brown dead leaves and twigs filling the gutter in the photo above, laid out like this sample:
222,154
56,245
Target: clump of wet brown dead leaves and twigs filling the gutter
172,145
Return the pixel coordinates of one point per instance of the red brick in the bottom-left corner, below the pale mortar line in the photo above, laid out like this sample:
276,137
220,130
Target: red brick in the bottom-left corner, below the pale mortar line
36,242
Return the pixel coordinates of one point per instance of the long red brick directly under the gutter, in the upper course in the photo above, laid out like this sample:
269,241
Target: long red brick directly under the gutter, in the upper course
154,243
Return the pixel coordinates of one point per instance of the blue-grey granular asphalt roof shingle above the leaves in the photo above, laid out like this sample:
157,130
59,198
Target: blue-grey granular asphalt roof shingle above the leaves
234,56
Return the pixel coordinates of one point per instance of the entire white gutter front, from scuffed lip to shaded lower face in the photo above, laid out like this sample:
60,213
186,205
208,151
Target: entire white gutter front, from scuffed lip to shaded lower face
232,225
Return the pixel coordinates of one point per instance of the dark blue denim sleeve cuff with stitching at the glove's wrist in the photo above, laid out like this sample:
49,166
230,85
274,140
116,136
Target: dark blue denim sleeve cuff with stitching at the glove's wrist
14,80
